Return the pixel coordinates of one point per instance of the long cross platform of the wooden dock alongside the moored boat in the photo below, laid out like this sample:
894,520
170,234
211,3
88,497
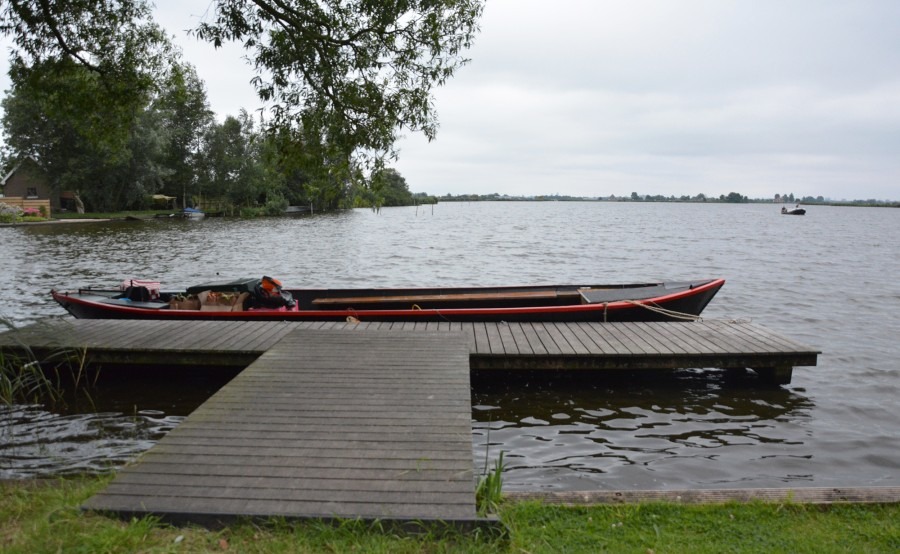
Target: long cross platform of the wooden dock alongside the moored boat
492,346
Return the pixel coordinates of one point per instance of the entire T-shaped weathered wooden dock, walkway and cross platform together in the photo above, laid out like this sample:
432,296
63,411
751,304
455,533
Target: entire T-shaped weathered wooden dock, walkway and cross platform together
358,420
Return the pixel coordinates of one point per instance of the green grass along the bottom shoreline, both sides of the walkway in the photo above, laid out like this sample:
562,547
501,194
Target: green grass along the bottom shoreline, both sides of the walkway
46,518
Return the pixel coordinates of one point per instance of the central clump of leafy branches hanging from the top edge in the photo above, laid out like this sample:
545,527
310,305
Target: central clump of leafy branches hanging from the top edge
351,73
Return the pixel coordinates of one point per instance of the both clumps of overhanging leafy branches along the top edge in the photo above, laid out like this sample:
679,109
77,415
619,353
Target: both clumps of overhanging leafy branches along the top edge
344,76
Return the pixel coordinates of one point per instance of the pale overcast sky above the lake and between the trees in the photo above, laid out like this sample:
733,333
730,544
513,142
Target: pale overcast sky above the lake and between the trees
599,97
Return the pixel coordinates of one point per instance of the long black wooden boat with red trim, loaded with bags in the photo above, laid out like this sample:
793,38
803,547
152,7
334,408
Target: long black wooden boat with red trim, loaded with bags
240,300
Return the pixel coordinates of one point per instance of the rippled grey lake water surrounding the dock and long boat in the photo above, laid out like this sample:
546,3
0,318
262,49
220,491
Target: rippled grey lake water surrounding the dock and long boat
830,279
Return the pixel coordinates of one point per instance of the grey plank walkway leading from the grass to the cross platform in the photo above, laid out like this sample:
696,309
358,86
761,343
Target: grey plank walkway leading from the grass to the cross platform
371,425
